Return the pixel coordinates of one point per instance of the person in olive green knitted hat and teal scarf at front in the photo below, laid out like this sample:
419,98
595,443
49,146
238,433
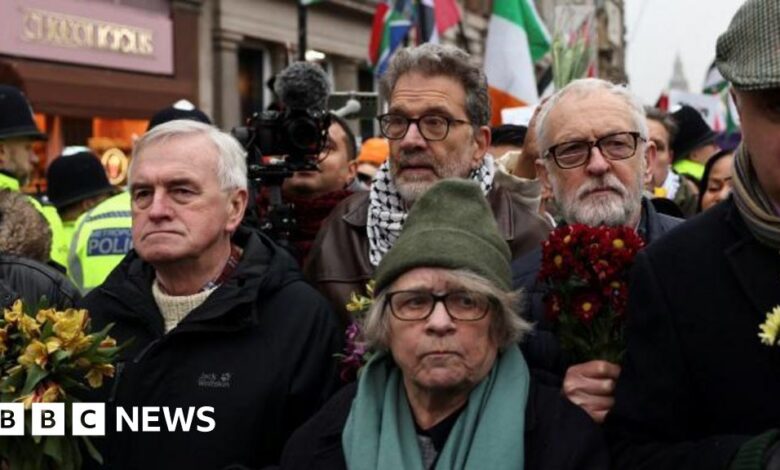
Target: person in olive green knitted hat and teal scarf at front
448,387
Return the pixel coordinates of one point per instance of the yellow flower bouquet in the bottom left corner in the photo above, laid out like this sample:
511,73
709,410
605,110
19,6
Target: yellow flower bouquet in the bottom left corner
47,356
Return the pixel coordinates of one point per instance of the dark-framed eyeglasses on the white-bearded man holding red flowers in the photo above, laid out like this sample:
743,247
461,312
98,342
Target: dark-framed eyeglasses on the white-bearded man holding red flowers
617,146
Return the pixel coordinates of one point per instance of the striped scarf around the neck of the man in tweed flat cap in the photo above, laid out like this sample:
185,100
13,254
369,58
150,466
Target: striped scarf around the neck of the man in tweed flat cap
753,204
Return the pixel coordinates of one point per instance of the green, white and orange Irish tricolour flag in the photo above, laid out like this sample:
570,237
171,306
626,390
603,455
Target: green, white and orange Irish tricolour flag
516,39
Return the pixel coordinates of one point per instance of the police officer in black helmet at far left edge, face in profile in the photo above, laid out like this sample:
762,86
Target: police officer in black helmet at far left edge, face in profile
18,132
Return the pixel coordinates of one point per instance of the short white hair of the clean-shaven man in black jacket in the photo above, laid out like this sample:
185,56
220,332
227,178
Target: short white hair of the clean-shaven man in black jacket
231,161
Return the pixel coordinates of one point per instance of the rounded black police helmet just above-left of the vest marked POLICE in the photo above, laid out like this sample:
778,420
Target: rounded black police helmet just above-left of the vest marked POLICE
76,177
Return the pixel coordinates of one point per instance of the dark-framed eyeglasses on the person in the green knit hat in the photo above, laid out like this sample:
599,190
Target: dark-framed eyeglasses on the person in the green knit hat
413,305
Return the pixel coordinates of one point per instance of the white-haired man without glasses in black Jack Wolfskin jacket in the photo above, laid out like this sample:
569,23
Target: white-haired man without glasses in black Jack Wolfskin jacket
220,316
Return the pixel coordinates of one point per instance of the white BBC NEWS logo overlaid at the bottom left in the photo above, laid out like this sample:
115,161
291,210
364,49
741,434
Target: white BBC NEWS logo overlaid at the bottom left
89,419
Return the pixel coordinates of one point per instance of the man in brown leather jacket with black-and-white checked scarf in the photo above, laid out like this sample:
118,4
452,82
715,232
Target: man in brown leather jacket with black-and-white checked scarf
437,124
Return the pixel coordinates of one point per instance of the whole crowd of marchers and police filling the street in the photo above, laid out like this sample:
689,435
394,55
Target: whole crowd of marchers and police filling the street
440,221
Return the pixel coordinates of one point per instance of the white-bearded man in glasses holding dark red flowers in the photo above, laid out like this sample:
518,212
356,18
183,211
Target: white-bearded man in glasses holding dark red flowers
594,155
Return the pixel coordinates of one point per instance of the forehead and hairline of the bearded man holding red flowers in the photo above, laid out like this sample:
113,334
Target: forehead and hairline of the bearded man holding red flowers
578,116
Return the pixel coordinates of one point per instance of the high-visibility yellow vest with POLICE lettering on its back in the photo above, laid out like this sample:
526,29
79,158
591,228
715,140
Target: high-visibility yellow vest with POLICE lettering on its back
101,239
